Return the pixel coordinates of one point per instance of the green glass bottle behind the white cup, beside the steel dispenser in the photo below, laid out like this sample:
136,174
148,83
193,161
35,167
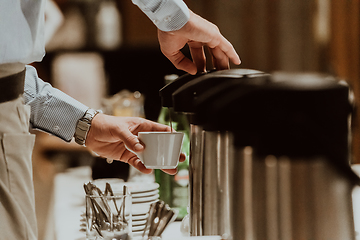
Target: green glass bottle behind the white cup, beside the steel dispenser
174,188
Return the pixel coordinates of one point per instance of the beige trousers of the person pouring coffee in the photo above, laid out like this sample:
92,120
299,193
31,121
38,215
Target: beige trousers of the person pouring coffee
17,202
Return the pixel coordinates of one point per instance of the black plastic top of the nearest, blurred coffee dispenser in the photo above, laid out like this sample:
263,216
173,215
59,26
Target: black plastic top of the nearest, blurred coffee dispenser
296,115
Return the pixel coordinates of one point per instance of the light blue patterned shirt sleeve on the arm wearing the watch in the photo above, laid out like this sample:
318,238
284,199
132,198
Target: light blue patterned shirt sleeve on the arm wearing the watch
51,110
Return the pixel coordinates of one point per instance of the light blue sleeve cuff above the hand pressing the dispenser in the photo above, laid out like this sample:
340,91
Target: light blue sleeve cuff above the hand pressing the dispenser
167,15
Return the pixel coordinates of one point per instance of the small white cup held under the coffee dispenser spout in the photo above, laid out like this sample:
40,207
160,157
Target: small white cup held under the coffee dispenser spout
161,149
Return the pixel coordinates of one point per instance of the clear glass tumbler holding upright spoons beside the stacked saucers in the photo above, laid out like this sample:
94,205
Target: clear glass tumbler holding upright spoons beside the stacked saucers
108,217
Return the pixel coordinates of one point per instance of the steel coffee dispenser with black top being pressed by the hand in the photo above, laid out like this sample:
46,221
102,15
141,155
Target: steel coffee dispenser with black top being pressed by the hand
184,92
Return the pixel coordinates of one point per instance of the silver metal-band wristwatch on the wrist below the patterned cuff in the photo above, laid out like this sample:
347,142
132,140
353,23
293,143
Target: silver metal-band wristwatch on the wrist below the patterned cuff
83,126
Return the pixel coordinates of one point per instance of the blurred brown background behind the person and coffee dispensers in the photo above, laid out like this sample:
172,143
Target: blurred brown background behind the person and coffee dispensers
105,53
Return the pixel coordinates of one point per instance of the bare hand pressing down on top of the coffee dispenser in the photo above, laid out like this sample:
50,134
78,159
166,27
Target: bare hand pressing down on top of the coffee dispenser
196,33
